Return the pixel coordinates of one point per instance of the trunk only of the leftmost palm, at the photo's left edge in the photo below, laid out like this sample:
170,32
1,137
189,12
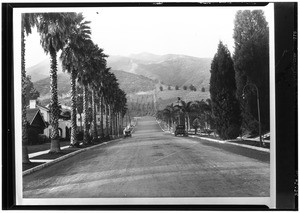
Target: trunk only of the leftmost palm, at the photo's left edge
25,158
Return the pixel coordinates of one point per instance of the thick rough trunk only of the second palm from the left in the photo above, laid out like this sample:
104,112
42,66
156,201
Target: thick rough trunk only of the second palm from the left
55,145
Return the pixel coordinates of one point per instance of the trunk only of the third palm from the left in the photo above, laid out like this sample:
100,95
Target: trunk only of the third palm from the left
73,141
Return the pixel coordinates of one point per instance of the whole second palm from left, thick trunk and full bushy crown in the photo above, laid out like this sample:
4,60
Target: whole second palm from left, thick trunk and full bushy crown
54,29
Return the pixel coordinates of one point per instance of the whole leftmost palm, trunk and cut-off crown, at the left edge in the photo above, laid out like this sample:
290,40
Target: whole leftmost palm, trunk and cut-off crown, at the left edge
28,21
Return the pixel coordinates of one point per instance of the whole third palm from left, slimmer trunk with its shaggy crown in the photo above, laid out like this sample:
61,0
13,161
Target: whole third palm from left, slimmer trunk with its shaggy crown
72,58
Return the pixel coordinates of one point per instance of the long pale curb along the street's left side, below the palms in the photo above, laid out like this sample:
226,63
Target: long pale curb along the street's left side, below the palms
37,168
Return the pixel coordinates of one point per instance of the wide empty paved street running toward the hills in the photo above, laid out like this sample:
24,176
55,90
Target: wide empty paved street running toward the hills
155,164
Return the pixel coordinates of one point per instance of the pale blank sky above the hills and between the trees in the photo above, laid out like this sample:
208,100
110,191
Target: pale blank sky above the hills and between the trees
194,31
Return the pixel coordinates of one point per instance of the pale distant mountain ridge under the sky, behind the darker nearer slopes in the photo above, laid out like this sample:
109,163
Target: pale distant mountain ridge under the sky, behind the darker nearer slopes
170,69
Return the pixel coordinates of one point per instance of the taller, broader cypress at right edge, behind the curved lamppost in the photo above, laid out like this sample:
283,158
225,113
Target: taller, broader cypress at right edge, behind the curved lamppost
251,63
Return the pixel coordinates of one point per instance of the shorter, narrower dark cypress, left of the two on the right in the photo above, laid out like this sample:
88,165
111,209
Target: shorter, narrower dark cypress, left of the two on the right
225,106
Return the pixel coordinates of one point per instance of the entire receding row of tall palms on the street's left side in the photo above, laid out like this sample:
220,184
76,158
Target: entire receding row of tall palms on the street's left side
86,63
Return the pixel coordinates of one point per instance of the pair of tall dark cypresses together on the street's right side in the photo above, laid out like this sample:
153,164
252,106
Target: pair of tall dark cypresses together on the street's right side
236,81
